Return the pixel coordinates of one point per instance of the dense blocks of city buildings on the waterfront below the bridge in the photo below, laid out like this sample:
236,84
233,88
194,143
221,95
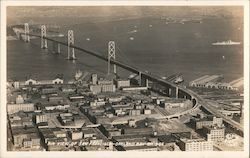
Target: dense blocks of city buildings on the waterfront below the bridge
98,114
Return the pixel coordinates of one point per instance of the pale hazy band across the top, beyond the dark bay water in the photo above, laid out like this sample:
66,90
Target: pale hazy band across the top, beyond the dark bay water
20,14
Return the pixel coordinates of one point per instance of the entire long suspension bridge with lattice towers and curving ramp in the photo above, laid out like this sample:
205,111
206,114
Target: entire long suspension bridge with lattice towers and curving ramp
170,89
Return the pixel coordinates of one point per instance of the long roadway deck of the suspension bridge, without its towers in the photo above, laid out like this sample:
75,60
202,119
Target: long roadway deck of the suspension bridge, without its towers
199,101
